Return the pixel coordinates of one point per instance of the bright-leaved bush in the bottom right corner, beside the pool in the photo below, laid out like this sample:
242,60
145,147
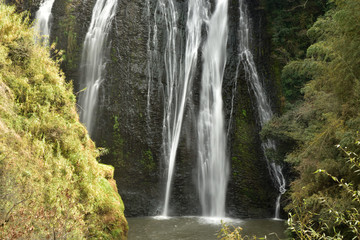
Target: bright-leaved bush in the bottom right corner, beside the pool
338,220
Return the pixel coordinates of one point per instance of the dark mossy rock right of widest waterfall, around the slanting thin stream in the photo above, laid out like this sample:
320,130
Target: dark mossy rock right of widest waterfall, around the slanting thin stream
250,190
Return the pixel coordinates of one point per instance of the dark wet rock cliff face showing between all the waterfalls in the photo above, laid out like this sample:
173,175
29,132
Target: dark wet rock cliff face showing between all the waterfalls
132,129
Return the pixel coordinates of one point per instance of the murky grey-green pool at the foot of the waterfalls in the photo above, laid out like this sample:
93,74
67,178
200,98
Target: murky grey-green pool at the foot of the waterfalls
195,228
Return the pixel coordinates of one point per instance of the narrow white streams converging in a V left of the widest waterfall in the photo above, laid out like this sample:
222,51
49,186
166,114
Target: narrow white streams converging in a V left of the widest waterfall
179,80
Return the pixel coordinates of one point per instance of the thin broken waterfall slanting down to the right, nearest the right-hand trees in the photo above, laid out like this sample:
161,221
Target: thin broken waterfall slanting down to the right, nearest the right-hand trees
262,102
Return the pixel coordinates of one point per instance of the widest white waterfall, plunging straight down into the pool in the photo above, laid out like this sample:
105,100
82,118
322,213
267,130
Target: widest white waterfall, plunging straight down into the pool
213,166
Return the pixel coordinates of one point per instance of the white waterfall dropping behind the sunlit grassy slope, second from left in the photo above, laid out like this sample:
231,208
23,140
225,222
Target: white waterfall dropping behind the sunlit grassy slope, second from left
93,60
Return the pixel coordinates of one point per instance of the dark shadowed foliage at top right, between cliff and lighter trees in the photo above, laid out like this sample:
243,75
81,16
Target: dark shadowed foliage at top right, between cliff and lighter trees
288,22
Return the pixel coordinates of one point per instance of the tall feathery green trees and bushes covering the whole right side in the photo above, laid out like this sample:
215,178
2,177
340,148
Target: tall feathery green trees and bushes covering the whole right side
324,115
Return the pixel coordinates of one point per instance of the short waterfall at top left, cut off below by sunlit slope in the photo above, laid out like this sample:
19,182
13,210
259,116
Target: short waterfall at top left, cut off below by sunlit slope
43,21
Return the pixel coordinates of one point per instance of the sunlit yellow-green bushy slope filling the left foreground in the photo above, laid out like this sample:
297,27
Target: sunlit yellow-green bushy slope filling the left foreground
51,185
